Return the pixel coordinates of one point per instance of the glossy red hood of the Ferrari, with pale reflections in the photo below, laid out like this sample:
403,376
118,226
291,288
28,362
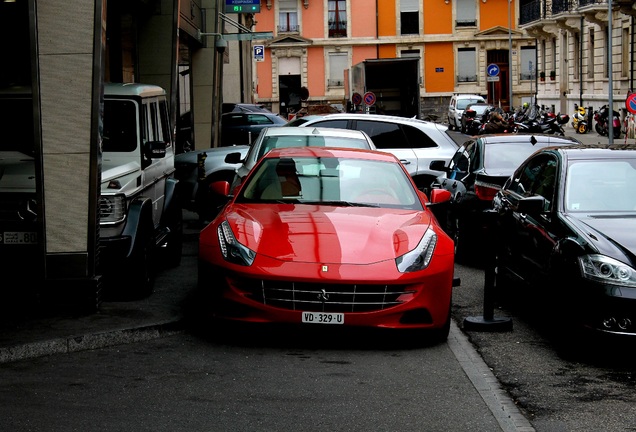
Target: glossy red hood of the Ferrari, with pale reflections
309,233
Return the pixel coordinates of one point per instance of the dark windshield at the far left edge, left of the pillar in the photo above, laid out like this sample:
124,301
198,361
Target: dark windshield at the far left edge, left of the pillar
16,123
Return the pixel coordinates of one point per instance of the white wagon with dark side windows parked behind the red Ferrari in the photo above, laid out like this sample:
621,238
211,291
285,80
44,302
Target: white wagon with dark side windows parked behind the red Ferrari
414,142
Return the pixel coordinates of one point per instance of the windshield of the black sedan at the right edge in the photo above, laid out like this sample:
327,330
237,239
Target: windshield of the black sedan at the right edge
601,185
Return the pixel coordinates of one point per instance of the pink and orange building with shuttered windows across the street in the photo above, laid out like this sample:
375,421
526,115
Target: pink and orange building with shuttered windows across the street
315,43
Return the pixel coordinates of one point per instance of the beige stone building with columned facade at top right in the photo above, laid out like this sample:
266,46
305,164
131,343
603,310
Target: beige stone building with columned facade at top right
578,43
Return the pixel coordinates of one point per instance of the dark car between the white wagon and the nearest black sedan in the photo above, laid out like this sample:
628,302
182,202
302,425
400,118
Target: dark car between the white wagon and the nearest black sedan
476,172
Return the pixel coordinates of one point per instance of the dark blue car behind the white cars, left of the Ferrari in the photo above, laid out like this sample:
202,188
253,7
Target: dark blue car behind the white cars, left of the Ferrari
241,128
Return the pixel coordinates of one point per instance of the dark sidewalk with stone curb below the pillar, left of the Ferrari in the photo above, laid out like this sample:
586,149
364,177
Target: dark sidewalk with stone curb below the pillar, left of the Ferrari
30,329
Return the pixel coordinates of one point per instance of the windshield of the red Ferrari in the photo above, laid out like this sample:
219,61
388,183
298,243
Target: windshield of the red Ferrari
331,181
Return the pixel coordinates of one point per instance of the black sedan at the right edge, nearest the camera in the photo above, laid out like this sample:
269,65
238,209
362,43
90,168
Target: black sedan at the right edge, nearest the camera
565,230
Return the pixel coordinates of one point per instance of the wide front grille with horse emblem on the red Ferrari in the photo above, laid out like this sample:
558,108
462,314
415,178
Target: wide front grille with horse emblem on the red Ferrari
316,297
